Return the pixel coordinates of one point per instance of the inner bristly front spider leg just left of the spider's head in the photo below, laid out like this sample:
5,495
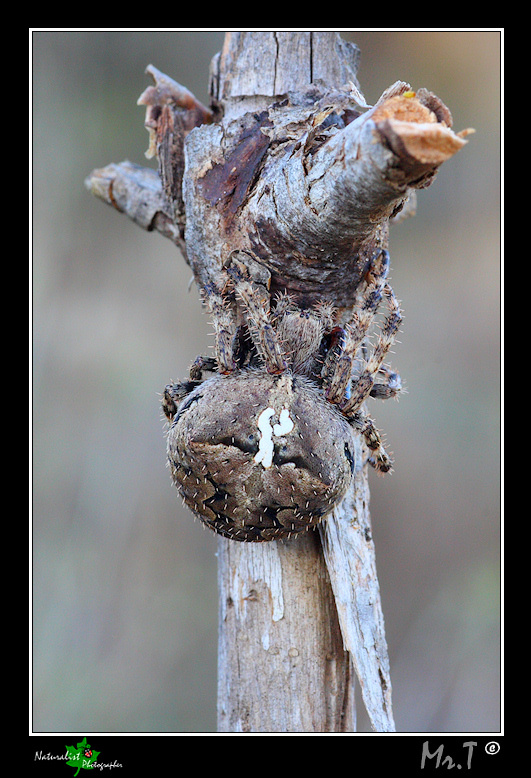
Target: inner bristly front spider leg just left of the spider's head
256,300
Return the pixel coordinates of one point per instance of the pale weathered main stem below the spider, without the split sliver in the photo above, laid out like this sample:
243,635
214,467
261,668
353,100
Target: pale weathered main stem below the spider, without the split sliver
282,663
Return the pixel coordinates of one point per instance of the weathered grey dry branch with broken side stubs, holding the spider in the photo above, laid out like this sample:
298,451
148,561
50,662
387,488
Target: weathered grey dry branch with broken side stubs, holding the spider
290,164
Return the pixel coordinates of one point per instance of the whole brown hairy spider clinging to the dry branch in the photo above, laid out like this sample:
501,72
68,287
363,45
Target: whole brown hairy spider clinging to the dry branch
264,448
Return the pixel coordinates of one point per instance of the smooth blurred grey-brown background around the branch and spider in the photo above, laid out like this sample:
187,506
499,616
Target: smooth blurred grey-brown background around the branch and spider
125,594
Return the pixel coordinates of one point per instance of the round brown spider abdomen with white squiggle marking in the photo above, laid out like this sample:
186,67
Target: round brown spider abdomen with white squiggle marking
260,457
